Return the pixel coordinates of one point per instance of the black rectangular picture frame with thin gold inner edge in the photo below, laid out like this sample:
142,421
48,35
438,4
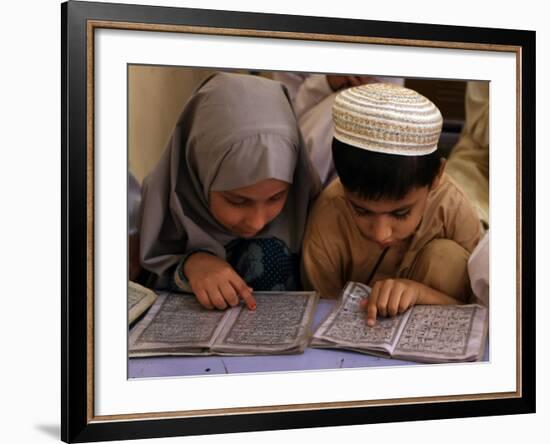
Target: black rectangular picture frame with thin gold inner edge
78,423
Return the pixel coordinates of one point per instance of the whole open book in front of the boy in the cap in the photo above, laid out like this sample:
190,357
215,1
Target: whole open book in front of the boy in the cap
424,333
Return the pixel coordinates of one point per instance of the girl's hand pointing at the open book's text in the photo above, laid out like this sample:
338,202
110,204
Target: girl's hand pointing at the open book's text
215,283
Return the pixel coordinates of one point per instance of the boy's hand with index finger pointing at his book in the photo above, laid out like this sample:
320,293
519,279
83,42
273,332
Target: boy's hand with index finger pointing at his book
390,297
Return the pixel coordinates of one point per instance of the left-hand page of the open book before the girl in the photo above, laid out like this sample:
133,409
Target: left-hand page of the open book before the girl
176,324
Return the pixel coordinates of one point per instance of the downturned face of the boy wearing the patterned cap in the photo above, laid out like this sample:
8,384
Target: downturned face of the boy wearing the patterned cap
388,221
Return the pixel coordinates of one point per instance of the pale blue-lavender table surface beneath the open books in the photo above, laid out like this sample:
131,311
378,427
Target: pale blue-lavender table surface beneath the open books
311,359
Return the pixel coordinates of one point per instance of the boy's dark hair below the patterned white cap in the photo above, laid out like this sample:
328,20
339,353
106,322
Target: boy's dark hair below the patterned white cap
373,175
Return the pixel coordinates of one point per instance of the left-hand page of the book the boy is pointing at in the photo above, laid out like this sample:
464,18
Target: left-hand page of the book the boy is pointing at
346,326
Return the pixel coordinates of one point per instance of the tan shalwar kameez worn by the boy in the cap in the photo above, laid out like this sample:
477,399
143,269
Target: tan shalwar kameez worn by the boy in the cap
335,251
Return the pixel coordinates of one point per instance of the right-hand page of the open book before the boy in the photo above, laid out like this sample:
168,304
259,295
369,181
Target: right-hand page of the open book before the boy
444,333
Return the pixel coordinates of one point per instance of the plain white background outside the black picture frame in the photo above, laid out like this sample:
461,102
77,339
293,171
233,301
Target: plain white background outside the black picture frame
30,228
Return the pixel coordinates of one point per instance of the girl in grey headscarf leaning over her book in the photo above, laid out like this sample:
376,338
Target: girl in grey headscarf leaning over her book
225,208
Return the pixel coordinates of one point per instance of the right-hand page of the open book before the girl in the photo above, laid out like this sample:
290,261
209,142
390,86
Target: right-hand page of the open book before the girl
280,324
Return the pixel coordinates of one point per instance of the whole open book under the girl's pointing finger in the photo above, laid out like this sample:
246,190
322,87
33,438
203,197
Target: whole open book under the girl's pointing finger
178,325
